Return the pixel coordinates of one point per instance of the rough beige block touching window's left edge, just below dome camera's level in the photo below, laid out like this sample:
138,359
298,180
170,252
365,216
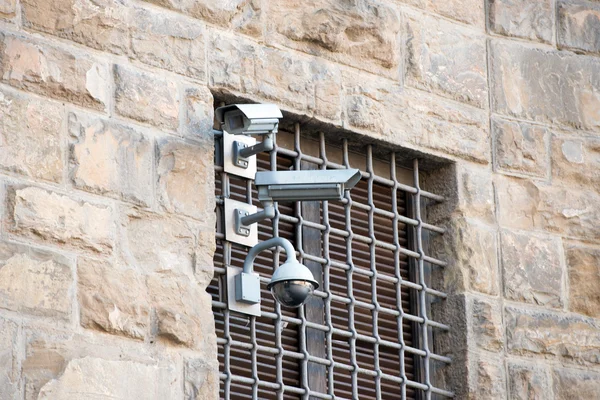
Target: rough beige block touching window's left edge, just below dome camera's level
183,311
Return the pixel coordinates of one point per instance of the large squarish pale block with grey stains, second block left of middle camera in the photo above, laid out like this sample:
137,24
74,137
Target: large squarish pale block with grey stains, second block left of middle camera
106,157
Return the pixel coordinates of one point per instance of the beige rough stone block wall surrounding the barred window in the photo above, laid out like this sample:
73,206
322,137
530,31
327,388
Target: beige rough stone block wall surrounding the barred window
106,157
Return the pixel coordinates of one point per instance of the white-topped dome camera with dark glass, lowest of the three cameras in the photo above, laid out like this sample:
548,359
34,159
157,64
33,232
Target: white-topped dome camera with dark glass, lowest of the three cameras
292,284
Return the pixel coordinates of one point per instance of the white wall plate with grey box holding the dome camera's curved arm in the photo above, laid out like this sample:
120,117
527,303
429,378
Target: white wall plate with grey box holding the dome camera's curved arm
244,306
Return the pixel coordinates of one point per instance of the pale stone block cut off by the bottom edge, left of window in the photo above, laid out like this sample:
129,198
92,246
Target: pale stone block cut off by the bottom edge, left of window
113,380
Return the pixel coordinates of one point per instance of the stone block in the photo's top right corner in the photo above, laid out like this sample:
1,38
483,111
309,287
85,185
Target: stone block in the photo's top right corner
578,25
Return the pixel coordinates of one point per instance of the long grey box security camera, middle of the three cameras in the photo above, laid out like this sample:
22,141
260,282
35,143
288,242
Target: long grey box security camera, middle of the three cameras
287,186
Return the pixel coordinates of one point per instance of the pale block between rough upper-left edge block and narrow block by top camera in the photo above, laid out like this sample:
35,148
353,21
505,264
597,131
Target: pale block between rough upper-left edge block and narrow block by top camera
146,98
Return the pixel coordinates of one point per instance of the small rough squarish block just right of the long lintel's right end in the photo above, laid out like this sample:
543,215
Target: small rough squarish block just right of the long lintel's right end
521,148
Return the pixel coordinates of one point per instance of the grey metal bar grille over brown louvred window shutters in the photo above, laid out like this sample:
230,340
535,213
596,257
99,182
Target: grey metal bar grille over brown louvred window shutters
367,333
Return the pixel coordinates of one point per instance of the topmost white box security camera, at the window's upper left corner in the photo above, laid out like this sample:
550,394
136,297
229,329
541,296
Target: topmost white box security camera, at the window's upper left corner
249,119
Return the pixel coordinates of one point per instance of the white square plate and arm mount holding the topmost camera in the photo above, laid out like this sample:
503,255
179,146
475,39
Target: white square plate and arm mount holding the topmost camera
235,160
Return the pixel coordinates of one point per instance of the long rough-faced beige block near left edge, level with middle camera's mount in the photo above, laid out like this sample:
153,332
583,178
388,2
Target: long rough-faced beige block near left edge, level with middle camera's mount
61,220
